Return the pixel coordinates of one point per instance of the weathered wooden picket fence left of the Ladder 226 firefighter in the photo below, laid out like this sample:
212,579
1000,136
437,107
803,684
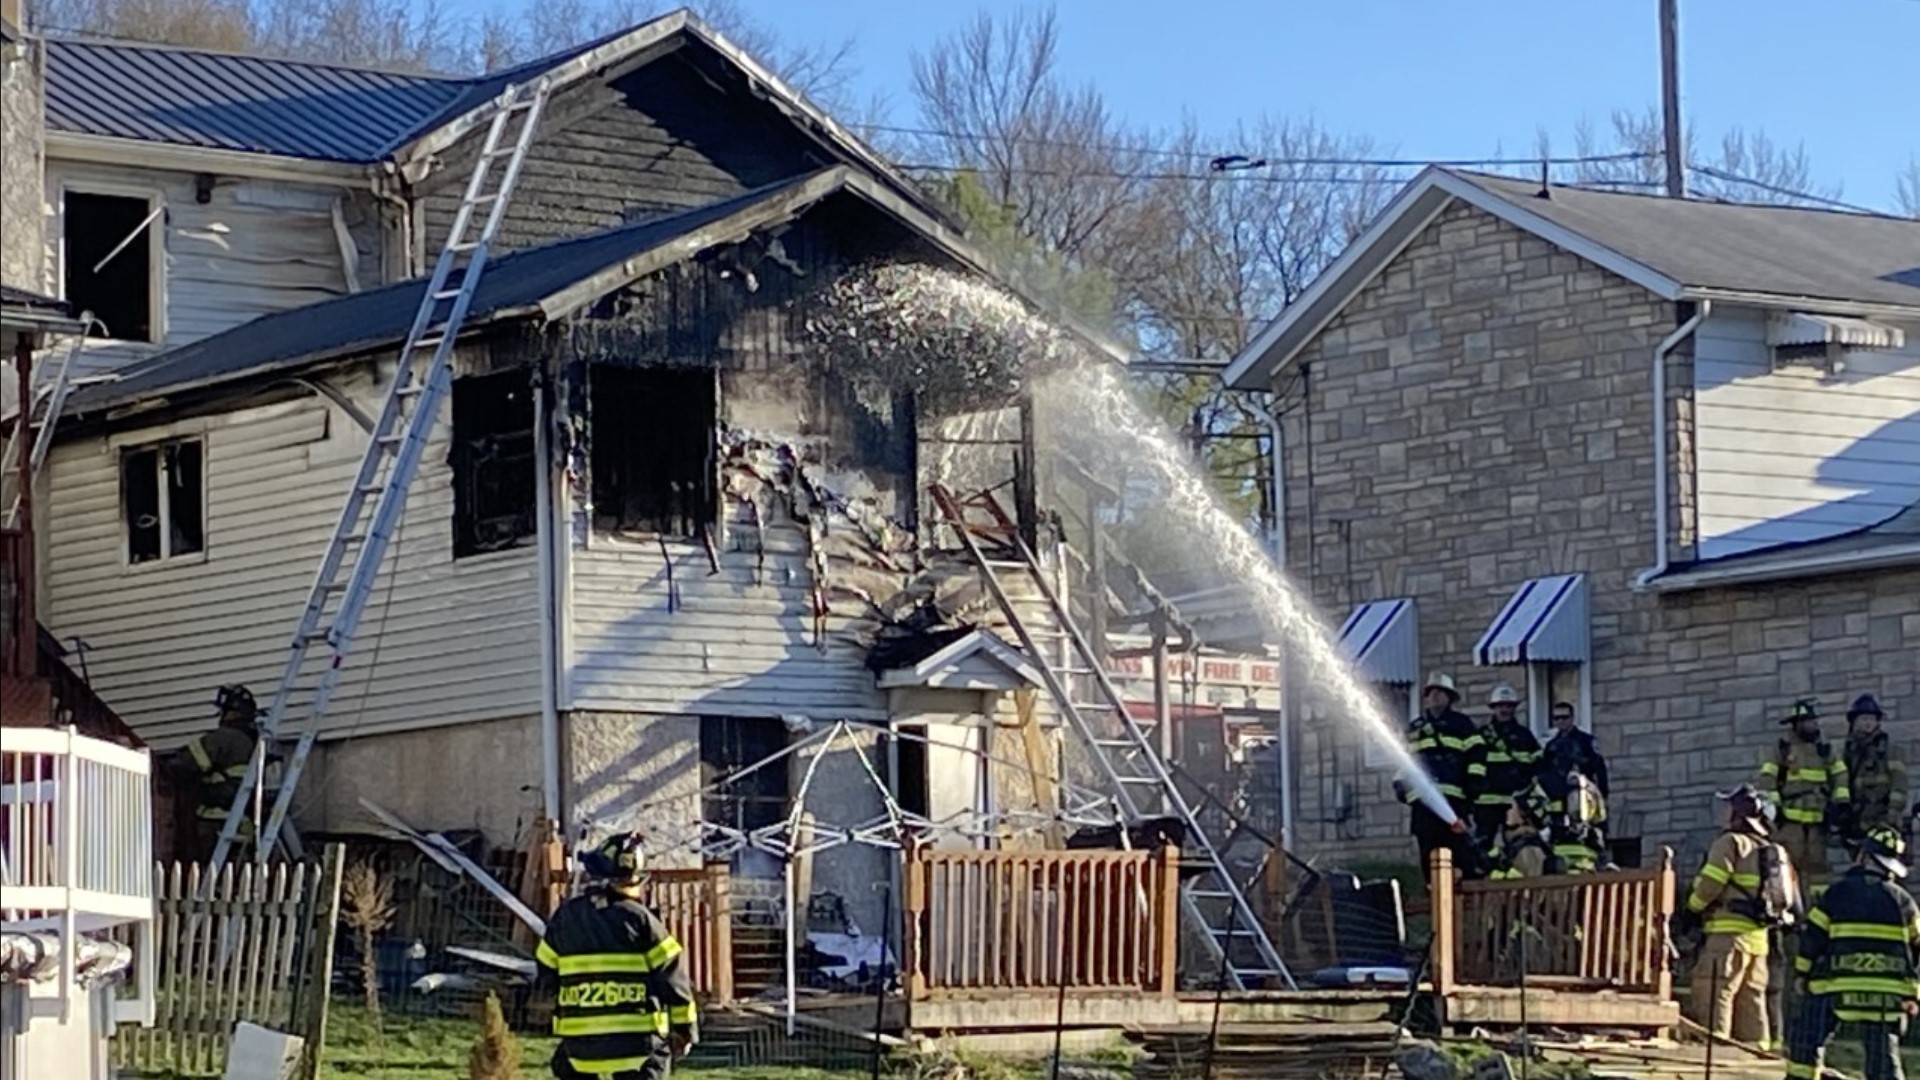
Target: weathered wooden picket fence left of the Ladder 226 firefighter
256,946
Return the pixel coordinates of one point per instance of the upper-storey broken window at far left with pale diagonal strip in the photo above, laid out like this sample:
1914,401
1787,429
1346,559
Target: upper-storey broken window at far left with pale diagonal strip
108,262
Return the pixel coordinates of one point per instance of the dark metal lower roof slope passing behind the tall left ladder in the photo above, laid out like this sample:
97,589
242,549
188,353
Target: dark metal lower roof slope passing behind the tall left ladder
364,322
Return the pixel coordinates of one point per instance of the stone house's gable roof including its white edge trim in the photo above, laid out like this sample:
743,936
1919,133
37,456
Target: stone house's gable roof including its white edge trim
1679,249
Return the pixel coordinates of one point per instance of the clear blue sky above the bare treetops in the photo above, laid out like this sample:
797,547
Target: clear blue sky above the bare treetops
1456,78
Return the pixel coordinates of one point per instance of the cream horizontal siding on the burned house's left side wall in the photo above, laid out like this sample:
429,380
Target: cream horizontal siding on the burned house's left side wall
450,643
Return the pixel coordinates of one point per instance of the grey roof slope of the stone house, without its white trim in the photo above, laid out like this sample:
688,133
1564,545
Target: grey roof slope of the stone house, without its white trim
1775,251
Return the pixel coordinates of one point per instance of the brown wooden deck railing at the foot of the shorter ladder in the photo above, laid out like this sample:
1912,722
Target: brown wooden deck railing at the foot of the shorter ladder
1015,921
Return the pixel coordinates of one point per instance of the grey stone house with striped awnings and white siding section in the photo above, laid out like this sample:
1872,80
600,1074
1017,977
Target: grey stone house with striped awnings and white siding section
1660,458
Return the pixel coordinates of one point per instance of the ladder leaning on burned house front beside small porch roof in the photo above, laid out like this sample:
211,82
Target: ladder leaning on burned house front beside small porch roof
1214,902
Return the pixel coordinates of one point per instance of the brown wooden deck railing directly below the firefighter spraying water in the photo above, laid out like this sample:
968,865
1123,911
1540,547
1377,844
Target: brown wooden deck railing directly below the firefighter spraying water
1604,931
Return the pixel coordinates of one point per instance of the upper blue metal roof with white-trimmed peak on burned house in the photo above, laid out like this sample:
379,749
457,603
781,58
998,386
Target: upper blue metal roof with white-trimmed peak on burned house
356,116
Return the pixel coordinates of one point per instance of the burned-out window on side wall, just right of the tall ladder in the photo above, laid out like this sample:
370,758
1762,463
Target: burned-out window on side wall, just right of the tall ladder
492,462
